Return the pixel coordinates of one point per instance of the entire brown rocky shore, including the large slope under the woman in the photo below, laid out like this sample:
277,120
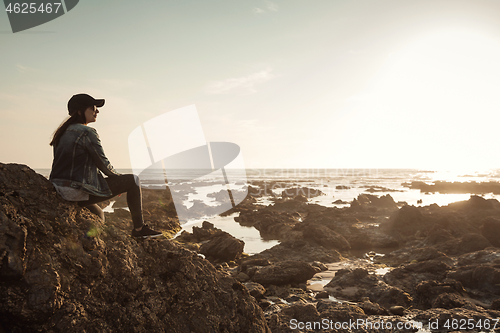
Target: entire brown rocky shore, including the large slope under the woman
374,262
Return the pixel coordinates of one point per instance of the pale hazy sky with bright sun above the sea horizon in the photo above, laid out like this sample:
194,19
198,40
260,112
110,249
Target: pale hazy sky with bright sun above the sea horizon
367,84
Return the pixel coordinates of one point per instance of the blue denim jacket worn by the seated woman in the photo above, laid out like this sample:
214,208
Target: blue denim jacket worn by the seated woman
77,158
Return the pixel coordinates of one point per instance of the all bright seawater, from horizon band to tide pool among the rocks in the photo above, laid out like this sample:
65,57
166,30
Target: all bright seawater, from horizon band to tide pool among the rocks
343,184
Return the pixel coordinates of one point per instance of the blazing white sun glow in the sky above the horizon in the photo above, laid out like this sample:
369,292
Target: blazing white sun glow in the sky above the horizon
434,104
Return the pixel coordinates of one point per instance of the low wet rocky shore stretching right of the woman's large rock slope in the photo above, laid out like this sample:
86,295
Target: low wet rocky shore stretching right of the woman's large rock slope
441,266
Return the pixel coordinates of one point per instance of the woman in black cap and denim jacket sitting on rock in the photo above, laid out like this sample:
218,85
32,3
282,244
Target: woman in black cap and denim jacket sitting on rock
78,155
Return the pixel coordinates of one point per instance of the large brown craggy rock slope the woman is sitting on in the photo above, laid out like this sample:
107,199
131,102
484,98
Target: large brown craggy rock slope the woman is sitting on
63,270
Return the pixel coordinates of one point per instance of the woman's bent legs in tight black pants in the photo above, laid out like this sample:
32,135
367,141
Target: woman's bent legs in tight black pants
121,184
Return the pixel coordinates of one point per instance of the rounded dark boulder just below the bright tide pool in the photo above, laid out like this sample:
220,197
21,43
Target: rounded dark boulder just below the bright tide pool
224,247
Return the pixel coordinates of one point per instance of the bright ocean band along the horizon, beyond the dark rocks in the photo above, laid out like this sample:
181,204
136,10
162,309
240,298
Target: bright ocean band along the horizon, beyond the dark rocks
354,181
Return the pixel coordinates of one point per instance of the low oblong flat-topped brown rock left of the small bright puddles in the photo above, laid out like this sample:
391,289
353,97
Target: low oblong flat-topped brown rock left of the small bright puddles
285,272
